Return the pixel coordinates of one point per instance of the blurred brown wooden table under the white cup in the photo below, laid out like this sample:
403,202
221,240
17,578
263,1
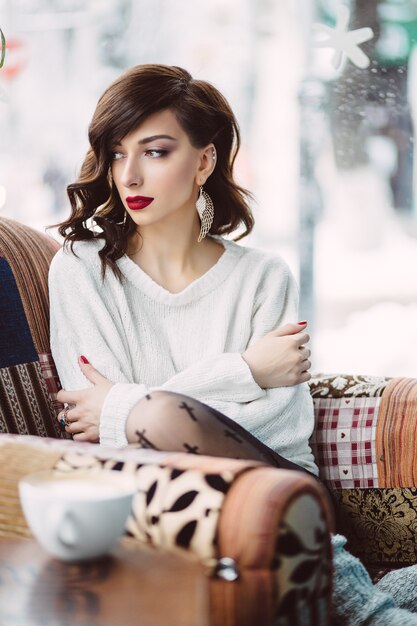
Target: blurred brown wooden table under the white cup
133,586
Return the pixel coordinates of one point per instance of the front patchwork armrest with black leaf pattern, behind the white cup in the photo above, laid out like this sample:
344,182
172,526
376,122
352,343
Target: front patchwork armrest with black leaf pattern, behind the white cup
273,524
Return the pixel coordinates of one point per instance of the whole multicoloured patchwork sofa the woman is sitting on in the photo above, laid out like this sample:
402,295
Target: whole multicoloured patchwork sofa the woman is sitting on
262,534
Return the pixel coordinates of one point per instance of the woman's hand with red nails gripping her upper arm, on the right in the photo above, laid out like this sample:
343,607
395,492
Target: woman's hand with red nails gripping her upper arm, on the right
280,358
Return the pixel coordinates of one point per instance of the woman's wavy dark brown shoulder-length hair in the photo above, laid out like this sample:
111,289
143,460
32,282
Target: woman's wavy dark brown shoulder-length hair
206,117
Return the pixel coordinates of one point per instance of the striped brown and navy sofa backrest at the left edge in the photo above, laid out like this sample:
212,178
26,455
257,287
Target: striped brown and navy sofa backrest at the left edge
28,379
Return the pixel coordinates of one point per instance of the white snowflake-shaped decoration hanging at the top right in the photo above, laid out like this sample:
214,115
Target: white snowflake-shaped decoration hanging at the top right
345,43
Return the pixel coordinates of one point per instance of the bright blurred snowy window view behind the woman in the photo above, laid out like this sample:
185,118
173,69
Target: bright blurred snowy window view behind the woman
326,95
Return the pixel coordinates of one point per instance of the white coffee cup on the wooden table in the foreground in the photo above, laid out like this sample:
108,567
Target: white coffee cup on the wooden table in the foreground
77,515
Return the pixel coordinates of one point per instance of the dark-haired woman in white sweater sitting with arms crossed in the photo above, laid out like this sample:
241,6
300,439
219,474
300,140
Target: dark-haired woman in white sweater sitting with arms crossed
194,337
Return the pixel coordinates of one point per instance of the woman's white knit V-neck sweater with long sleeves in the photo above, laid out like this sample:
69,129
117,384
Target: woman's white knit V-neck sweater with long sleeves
142,337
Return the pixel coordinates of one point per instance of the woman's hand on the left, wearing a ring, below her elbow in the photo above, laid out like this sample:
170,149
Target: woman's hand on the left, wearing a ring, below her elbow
82,419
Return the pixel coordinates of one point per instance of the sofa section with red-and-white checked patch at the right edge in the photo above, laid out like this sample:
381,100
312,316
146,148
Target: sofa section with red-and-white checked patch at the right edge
365,442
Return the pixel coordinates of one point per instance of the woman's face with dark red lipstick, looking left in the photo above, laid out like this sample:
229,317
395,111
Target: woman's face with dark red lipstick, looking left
157,171
